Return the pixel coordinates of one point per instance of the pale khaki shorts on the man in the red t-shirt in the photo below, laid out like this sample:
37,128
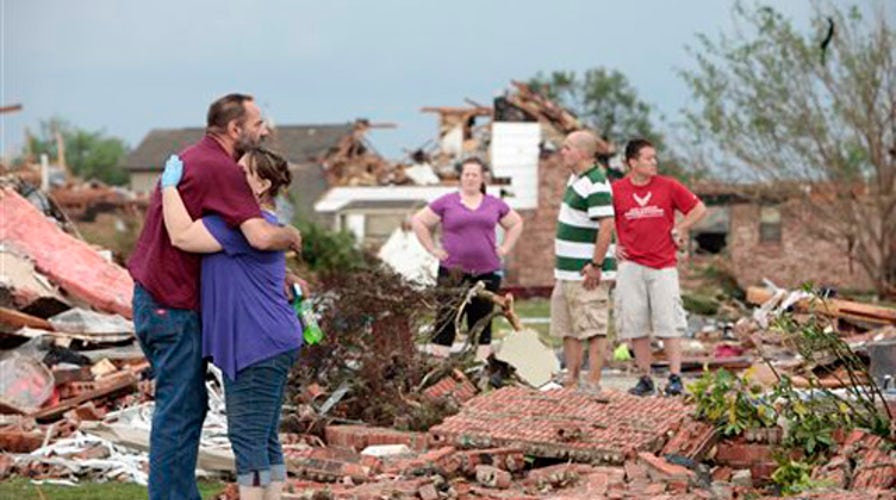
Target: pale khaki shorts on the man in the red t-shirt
648,301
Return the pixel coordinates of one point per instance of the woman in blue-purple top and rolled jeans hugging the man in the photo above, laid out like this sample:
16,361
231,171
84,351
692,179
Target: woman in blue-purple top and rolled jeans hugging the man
249,329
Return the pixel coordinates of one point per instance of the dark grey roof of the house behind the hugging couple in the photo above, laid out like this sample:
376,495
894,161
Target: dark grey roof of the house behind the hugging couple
304,146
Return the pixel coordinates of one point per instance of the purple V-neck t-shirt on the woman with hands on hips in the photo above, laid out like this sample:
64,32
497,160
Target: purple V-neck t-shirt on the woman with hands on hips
469,235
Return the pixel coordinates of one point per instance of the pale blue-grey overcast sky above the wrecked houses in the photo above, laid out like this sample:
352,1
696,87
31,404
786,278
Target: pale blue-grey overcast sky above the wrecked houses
126,67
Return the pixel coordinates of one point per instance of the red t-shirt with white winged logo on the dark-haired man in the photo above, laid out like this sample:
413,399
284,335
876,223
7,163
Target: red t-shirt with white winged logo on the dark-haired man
645,216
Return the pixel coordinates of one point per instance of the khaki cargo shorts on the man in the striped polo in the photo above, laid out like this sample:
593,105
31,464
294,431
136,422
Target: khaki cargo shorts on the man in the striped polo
579,313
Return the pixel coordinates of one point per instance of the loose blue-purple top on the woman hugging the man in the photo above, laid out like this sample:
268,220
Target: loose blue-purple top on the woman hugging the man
246,317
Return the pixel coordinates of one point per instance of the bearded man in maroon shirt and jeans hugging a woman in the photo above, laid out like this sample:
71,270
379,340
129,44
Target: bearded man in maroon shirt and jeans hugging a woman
166,291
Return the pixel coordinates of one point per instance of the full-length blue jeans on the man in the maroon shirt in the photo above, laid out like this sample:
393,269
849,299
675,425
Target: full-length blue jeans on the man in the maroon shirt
172,341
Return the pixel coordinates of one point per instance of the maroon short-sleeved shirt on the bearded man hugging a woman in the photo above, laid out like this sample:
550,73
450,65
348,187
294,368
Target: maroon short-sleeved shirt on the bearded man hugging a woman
212,183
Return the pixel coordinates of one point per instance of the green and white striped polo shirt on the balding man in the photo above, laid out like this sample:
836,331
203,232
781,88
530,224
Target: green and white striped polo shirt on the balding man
587,199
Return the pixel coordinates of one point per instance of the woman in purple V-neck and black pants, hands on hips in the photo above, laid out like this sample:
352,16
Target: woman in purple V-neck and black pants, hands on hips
469,252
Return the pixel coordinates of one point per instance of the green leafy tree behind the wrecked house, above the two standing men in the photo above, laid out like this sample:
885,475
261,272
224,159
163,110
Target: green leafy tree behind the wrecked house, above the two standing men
607,103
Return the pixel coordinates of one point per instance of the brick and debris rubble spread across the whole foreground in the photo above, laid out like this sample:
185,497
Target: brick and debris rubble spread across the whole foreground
369,415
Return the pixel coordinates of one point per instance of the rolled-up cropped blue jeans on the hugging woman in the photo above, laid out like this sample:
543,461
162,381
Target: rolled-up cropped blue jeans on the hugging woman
254,401
